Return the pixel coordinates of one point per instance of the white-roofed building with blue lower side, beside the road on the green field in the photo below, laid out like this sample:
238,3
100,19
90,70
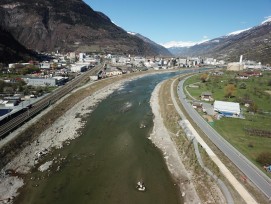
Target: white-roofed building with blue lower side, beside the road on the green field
227,109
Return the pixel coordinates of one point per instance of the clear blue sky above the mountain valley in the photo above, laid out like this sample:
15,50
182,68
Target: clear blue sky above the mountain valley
183,21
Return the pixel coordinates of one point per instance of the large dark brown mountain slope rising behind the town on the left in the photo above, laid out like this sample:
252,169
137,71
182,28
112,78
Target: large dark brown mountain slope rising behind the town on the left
67,25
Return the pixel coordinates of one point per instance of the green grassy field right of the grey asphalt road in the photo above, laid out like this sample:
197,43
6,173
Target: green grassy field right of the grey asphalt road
232,129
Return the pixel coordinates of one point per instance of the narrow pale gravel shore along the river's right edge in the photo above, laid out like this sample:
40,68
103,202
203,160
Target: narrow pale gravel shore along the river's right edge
161,138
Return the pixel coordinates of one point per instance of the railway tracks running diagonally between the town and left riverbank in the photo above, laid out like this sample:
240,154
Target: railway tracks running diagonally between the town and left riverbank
17,121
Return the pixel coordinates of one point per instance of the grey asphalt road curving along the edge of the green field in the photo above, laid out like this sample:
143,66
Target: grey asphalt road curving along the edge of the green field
256,176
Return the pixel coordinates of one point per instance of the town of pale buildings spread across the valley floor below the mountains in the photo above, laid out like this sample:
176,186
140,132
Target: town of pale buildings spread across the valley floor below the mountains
22,83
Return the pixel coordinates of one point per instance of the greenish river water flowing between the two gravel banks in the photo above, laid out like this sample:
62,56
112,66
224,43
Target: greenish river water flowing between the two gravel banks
112,155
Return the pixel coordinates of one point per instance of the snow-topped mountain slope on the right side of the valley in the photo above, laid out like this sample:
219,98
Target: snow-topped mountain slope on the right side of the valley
253,44
